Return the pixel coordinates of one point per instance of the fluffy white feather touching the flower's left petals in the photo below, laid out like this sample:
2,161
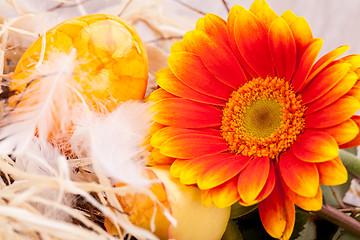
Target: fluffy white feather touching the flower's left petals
115,141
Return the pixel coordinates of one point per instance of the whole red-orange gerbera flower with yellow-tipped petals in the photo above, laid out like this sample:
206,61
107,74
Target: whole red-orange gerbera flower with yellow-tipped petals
245,113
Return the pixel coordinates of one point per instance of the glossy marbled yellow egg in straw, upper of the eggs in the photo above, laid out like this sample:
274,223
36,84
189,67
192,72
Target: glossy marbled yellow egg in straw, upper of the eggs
111,62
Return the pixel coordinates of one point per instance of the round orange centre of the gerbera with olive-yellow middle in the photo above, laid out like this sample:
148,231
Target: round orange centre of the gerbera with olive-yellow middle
262,118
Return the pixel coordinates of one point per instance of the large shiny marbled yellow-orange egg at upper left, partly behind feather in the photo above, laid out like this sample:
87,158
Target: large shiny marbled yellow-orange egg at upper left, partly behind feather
110,65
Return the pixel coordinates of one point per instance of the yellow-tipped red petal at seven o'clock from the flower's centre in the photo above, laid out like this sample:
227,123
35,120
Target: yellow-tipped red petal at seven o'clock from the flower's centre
221,171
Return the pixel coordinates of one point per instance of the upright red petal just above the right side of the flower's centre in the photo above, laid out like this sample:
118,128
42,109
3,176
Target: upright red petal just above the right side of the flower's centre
282,48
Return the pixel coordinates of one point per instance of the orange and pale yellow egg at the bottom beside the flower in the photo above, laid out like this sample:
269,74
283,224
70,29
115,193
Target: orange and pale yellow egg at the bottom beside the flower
193,220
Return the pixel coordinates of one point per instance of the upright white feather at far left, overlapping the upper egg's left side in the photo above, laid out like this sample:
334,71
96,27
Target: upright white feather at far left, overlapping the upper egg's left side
42,106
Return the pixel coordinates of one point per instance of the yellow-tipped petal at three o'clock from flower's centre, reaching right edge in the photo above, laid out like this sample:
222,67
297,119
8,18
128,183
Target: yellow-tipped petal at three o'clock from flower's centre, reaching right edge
335,113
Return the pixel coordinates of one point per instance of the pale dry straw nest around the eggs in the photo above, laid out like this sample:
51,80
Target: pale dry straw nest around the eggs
71,202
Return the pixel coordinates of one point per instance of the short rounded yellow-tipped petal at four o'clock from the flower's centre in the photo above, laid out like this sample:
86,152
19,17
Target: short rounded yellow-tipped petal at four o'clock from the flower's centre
315,147
